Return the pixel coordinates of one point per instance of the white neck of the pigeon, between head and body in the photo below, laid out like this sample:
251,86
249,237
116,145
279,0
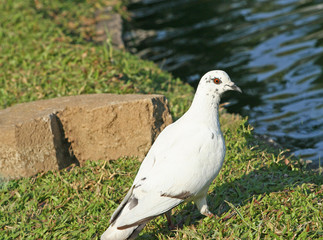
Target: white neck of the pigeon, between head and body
204,109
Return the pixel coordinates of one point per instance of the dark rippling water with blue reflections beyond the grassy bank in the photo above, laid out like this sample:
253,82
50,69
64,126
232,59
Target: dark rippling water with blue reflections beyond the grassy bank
273,50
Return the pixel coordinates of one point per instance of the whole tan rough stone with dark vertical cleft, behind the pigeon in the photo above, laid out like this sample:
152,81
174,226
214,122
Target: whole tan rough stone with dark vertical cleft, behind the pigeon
51,134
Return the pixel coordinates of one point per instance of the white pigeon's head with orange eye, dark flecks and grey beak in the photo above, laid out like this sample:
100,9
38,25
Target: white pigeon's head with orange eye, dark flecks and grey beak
217,82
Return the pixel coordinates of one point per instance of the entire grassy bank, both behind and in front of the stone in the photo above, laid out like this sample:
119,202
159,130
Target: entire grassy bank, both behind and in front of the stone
46,52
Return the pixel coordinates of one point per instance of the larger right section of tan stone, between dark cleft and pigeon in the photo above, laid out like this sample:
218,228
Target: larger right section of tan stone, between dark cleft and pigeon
112,126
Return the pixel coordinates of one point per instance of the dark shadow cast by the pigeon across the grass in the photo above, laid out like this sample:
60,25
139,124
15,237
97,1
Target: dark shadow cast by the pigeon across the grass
274,177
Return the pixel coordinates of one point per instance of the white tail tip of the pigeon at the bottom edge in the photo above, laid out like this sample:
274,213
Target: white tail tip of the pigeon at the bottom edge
113,233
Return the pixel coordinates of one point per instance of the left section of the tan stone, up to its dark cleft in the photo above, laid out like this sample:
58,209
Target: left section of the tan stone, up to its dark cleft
31,140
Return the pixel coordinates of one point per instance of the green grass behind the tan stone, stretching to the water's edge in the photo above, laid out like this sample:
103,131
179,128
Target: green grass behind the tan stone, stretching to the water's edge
46,53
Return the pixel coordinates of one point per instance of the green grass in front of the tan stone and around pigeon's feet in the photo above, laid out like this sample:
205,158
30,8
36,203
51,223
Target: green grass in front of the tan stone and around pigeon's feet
257,195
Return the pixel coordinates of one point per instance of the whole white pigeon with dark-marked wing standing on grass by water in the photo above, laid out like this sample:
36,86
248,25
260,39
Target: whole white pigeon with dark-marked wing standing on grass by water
180,165
